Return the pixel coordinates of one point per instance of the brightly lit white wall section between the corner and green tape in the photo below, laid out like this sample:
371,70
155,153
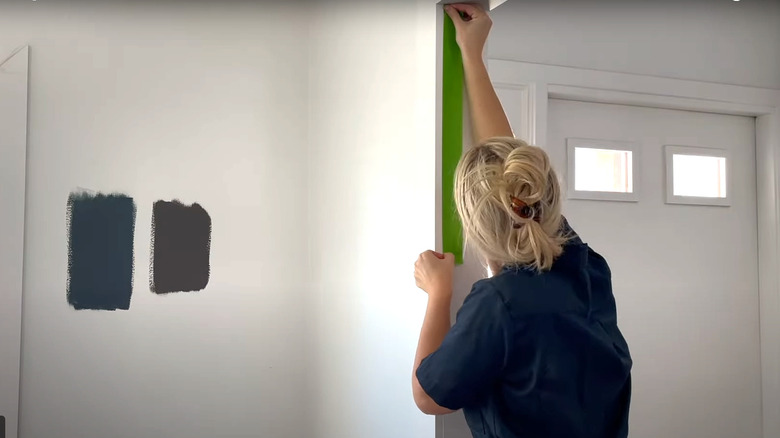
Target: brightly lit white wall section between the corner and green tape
372,198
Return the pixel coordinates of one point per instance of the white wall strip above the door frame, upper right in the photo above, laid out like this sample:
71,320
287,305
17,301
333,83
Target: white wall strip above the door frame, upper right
708,40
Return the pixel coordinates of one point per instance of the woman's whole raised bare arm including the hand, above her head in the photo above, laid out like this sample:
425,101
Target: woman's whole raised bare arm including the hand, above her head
472,26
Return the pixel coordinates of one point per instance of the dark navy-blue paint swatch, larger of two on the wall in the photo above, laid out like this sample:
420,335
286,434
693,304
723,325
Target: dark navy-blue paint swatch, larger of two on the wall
100,251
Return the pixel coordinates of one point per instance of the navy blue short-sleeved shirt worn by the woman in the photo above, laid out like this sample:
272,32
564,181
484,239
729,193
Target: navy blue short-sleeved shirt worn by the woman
537,355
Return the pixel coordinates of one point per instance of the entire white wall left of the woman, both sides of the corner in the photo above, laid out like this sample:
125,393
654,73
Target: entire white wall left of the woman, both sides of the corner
306,133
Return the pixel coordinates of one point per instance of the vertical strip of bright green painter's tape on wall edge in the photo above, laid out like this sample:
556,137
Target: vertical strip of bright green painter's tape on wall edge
451,139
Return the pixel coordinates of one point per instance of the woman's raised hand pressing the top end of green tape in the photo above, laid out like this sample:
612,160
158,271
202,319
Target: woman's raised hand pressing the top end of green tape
472,25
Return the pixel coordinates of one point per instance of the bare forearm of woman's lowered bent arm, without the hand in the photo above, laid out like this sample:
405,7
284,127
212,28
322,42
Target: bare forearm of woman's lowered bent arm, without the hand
434,329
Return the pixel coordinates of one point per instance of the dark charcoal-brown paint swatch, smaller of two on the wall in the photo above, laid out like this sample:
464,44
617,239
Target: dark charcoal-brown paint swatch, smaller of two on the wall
181,243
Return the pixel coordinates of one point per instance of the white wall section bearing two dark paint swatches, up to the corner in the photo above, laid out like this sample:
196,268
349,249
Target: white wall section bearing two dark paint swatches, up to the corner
202,102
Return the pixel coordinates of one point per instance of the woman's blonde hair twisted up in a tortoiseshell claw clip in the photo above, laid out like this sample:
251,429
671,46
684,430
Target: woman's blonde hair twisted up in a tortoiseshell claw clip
488,176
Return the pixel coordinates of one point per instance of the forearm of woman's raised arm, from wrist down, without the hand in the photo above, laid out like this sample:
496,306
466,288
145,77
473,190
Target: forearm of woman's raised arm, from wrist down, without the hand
487,115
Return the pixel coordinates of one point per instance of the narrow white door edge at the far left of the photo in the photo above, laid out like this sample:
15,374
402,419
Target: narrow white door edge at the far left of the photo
13,147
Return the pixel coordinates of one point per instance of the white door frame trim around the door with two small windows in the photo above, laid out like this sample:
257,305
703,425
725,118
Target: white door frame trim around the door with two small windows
526,88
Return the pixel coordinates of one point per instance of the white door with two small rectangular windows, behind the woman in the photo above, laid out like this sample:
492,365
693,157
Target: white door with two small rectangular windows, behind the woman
685,277
